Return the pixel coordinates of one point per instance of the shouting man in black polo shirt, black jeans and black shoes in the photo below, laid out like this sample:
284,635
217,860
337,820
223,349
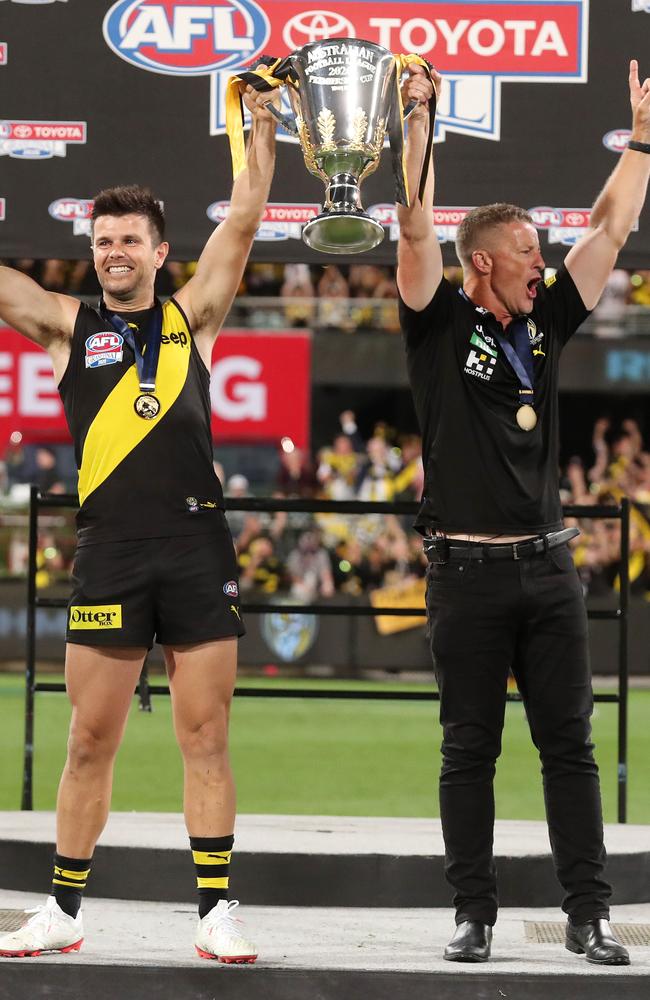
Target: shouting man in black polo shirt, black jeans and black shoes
503,593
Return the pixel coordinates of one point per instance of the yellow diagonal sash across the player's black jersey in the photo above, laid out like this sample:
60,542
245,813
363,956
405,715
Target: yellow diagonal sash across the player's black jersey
117,429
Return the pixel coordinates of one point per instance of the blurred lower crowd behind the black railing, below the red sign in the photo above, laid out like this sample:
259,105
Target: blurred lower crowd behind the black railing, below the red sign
310,556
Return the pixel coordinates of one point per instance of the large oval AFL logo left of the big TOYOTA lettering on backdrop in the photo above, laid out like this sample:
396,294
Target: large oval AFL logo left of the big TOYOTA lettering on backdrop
184,38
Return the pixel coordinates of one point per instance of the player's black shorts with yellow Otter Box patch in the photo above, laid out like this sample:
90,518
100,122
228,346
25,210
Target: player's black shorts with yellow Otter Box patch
179,590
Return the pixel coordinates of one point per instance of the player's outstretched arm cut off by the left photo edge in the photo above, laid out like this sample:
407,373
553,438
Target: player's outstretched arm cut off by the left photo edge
47,318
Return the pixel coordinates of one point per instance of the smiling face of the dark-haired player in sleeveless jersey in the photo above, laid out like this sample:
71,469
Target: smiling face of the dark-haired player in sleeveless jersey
126,258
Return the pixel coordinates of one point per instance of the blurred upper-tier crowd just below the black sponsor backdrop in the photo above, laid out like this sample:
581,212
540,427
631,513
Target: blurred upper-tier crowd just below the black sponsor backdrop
344,298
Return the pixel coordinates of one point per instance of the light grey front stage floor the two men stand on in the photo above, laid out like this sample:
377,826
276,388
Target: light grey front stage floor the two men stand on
139,950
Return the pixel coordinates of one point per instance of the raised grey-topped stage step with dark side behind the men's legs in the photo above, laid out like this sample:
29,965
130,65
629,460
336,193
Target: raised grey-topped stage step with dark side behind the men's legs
312,860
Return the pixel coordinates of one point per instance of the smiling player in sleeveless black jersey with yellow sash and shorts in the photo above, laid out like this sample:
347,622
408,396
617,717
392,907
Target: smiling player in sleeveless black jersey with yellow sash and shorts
155,557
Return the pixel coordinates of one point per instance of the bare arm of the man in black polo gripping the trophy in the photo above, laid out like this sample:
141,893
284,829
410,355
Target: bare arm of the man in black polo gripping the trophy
419,259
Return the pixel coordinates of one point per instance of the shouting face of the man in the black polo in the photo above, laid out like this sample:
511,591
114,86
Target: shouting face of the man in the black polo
510,266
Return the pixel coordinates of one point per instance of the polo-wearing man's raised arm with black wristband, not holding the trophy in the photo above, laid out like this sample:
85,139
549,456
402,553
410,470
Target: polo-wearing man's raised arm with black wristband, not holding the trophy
591,261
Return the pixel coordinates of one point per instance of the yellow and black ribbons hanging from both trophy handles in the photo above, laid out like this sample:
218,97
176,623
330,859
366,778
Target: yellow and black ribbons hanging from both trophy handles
272,72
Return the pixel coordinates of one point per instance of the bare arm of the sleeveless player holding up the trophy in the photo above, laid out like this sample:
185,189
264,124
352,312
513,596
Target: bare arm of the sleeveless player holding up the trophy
207,297
